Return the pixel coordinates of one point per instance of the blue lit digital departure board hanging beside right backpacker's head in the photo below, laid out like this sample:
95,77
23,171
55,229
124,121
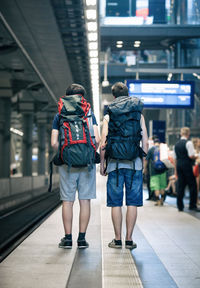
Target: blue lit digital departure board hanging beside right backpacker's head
163,94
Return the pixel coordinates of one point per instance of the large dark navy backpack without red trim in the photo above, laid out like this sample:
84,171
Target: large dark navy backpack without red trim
124,129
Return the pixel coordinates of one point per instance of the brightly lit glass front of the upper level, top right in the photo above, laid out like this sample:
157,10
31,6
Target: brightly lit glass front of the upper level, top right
149,12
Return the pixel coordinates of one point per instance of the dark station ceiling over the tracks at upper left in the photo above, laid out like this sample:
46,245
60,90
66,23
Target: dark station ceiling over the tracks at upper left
43,48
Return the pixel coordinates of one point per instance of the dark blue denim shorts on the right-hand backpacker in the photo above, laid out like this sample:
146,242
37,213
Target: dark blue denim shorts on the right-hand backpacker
134,192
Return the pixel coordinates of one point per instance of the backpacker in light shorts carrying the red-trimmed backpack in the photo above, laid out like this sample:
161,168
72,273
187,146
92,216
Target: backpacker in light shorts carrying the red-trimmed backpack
75,138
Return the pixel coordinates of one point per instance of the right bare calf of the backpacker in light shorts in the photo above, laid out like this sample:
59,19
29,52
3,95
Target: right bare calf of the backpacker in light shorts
84,215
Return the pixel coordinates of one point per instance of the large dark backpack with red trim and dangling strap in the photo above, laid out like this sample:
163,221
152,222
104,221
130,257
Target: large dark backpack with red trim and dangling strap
76,135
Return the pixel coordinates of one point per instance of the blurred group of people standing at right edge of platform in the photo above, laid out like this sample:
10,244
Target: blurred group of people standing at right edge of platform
169,173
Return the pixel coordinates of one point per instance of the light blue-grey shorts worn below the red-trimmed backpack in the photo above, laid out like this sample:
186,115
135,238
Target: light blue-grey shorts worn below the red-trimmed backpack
77,179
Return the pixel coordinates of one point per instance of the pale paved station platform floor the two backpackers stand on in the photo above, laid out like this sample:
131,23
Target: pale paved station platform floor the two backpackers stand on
167,256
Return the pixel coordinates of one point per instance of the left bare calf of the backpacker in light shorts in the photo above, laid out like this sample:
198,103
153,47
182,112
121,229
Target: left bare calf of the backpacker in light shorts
67,216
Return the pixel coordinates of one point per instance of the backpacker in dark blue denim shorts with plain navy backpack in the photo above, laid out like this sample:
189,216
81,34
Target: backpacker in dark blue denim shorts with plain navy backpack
122,133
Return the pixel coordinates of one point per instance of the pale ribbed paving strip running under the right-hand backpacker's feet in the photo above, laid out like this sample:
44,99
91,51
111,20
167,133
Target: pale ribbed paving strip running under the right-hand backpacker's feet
118,267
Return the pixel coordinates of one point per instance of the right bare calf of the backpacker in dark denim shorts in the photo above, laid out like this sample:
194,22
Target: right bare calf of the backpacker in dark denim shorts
131,216
